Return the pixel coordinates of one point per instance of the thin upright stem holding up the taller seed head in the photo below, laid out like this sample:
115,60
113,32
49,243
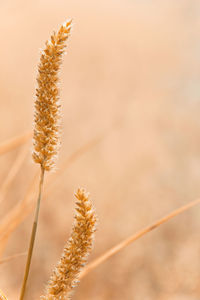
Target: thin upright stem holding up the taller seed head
33,234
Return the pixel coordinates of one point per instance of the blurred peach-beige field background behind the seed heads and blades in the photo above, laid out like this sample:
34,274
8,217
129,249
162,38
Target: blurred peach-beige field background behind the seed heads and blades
130,94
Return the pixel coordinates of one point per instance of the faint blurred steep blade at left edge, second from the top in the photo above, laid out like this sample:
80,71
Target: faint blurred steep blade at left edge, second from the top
13,172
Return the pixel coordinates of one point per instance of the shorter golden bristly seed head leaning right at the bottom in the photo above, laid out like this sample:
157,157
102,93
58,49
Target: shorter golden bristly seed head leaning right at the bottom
76,251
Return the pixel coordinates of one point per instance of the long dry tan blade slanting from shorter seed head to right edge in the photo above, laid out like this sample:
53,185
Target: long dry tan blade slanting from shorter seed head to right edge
114,250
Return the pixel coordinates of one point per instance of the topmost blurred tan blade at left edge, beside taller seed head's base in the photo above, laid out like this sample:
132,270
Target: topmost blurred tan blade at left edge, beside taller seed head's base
15,142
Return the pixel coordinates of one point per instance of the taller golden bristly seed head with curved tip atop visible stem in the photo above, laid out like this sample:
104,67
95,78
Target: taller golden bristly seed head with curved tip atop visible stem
47,109
